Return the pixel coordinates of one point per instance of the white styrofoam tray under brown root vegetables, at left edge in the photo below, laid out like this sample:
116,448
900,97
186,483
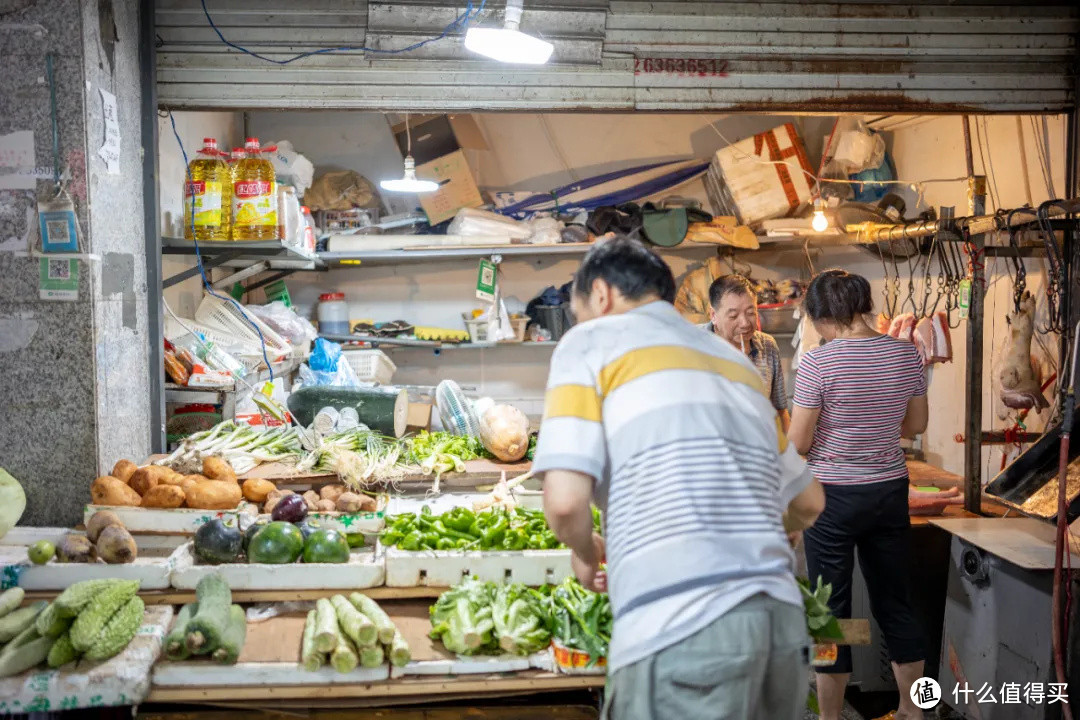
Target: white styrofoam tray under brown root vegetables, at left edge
152,568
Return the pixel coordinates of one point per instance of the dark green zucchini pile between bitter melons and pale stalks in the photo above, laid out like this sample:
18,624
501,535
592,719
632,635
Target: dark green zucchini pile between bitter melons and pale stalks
210,627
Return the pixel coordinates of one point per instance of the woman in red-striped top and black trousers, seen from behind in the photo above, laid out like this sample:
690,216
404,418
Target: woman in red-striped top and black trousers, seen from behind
856,397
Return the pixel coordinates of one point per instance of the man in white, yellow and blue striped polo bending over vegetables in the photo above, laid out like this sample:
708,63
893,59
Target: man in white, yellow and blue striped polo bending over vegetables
671,432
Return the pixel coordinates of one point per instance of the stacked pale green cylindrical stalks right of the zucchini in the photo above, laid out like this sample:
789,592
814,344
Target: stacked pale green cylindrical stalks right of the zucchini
349,633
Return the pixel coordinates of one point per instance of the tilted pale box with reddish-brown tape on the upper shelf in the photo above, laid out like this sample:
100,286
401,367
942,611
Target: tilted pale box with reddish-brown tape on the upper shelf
765,176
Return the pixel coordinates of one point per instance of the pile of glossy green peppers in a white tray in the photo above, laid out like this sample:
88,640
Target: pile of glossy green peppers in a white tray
462,528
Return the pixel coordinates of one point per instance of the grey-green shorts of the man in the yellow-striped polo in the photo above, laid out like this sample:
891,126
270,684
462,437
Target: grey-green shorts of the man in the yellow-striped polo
751,664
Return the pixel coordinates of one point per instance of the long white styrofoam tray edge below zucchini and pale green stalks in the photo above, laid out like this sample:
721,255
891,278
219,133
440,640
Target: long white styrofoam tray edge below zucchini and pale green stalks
207,674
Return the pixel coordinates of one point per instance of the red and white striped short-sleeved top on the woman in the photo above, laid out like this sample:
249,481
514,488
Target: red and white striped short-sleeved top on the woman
862,387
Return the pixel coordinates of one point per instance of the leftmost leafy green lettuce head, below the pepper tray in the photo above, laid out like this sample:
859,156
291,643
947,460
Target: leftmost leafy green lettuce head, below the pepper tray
462,618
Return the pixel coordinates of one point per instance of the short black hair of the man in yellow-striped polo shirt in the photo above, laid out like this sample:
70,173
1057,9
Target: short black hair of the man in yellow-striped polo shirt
629,266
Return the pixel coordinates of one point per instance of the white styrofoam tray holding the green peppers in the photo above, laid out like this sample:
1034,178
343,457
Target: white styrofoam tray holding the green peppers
448,568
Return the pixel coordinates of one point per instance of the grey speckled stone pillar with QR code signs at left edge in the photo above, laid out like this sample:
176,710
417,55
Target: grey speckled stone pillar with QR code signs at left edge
75,376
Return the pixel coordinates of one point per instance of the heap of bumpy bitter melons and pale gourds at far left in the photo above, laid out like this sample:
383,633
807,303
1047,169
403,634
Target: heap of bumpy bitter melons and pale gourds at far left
93,620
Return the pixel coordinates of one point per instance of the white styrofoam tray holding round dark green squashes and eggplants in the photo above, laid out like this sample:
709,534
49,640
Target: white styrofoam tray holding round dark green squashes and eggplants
362,570
